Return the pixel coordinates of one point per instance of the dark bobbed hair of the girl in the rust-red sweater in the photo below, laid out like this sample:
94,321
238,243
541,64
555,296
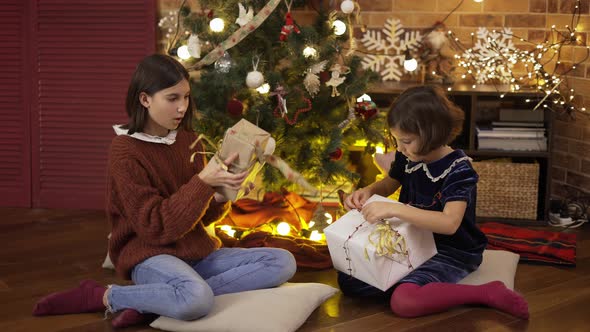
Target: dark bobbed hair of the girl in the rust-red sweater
154,73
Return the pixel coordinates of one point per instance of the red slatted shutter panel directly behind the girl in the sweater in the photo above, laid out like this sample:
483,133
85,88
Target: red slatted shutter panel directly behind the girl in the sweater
84,54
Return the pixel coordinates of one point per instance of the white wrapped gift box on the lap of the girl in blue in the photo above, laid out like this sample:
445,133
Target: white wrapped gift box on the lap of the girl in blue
352,252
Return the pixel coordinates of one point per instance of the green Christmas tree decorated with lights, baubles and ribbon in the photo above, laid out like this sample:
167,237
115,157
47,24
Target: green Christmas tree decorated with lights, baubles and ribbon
299,83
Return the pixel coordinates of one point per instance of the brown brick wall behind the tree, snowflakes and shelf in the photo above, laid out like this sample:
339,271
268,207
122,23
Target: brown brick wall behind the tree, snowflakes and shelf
530,19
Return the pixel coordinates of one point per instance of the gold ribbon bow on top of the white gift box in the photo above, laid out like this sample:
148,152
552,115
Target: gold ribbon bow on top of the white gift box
387,242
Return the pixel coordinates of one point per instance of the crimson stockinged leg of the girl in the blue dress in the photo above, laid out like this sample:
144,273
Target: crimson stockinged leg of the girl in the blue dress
411,300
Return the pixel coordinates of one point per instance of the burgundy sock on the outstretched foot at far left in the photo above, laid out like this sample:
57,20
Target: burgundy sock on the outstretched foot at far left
87,297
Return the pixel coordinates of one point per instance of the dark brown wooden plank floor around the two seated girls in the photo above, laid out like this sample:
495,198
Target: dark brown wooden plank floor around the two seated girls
49,250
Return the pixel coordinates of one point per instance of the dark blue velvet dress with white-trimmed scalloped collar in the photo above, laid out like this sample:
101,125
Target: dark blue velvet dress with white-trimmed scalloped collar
430,186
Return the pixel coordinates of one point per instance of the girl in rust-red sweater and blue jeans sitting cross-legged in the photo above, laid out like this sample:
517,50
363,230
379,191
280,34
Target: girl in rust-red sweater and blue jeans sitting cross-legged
158,204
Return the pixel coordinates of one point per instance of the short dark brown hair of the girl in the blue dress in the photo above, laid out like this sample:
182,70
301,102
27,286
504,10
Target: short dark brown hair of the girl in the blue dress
426,111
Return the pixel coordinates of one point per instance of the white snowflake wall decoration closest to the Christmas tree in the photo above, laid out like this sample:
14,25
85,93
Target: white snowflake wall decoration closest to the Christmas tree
391,65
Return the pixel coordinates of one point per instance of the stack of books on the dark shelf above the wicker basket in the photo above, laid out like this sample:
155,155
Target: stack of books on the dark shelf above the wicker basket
516,130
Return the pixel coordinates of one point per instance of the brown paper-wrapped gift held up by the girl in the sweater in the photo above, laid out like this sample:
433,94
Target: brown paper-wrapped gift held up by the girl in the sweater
253,146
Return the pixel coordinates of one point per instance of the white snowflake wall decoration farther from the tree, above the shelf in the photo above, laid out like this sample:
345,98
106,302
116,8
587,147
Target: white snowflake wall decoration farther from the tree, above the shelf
492,56
